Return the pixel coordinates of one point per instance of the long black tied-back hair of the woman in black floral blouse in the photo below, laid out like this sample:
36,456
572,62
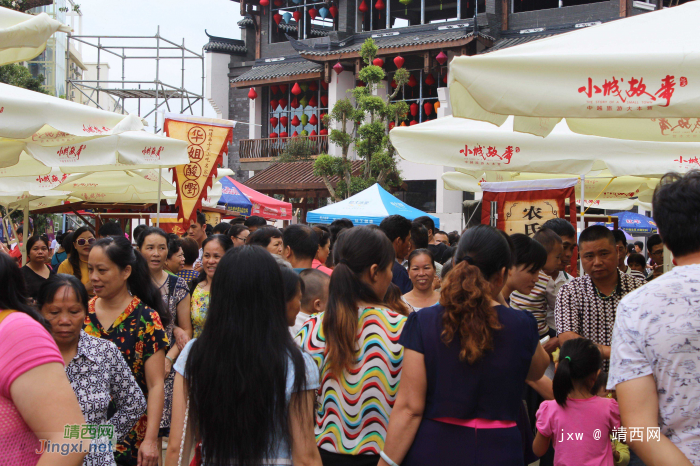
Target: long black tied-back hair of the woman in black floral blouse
120,251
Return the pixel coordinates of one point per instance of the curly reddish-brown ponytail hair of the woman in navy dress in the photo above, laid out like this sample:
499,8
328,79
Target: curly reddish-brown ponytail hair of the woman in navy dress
466,295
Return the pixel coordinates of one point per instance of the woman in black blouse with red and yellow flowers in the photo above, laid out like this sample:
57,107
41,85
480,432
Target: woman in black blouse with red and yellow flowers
128,310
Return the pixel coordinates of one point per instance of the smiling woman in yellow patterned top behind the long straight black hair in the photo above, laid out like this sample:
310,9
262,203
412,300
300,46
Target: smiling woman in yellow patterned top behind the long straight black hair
213,249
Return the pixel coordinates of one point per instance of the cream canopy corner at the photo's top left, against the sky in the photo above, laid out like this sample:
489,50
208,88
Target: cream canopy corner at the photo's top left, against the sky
23,36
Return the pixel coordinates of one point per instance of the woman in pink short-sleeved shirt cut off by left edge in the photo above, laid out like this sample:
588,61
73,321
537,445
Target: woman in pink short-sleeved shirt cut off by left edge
36,399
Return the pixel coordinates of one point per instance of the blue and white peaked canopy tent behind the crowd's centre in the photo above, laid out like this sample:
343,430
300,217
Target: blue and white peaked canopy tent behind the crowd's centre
368,207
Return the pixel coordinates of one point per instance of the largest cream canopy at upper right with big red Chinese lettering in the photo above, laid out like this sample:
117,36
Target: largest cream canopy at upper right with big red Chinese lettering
615,79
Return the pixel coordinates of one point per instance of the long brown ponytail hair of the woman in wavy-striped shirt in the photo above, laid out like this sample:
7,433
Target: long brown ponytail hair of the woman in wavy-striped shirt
356,250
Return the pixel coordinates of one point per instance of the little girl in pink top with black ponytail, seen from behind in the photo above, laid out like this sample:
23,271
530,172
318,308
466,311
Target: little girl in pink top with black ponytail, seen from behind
578,422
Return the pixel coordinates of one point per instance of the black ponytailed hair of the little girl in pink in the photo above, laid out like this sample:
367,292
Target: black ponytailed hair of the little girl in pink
579,359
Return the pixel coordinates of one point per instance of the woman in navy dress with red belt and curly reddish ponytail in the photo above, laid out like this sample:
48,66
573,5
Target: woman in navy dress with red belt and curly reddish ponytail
465,365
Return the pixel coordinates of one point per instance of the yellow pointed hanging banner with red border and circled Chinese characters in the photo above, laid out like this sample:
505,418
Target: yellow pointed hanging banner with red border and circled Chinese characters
207,143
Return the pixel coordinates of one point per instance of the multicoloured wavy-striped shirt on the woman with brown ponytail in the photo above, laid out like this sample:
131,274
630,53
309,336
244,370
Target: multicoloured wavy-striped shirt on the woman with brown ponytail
353,412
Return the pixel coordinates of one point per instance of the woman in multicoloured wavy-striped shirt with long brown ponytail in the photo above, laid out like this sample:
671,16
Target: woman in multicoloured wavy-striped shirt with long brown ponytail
355,345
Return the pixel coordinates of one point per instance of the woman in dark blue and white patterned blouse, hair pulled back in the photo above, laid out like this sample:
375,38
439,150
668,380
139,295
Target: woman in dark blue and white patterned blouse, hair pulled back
96,369
